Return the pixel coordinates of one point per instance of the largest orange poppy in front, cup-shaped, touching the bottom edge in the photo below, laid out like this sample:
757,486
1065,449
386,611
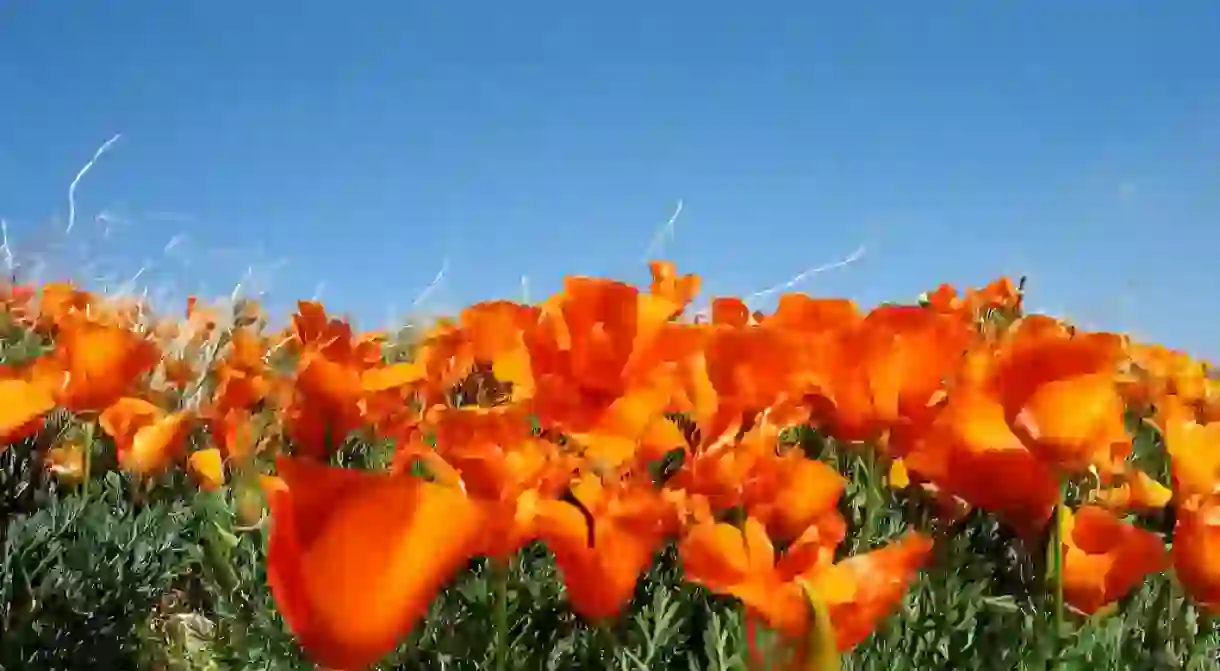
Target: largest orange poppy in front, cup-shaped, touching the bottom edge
356,558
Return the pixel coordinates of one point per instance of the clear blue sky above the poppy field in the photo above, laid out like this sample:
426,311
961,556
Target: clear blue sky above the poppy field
362,145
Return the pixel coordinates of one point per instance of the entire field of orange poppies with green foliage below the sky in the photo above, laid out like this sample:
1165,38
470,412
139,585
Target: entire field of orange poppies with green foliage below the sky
609,479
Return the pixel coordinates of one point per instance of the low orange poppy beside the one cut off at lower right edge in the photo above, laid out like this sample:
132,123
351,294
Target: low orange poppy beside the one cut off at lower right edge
1106,558
